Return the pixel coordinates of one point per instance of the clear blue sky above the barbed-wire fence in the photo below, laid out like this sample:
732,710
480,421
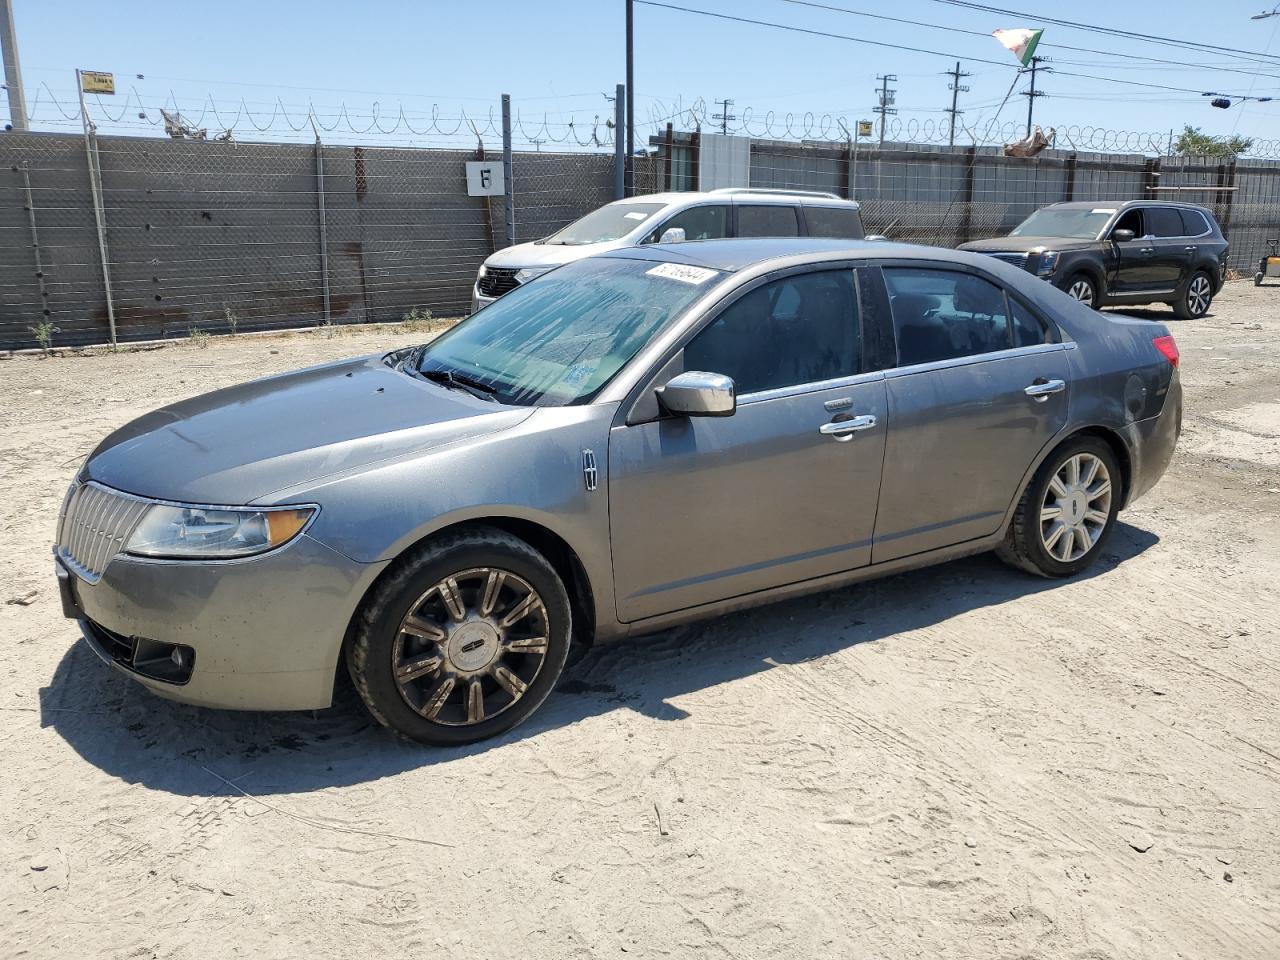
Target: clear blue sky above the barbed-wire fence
557,57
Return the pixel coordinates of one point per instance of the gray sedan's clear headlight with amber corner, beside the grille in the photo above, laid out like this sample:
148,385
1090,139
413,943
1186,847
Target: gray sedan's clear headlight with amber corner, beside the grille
216,533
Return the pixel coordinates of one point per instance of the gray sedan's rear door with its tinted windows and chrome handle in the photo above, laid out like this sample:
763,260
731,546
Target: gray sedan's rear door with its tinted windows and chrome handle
980,388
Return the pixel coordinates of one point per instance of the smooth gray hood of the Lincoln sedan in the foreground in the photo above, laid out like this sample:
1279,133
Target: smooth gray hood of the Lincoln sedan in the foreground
240,445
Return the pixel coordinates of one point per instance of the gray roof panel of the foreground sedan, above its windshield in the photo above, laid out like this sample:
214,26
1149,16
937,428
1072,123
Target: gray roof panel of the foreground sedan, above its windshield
733,255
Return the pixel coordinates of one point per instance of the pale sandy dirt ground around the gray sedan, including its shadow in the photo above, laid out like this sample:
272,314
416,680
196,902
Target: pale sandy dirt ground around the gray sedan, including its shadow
962,762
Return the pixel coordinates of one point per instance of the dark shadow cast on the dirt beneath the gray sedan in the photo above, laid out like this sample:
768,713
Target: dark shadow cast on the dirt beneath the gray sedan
116,725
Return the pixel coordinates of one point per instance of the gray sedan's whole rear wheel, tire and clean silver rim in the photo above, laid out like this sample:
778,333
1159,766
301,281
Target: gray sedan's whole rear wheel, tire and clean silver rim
1068,511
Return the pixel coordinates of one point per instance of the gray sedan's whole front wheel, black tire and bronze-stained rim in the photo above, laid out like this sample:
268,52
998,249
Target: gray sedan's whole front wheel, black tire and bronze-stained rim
464,641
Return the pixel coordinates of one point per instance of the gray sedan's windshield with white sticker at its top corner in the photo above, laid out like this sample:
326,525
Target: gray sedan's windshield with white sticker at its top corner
560,339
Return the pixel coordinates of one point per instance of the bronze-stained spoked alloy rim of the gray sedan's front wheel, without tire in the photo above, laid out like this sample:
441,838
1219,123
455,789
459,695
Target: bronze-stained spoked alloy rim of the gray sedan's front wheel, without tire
470,647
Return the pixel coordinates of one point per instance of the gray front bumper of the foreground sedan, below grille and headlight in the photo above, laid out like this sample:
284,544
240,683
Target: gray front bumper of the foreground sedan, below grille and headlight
263,633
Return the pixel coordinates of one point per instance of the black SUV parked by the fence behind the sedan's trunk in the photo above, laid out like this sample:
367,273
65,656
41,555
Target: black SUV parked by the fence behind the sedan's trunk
1141,252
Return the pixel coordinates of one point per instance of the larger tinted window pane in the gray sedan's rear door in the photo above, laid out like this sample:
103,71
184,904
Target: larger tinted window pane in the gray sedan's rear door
945,314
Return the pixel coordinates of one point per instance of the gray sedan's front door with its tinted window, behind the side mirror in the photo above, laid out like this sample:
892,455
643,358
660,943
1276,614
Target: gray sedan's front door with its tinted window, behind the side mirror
785,490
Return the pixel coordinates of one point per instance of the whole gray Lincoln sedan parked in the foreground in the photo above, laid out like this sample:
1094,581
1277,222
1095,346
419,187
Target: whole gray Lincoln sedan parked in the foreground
632,442
